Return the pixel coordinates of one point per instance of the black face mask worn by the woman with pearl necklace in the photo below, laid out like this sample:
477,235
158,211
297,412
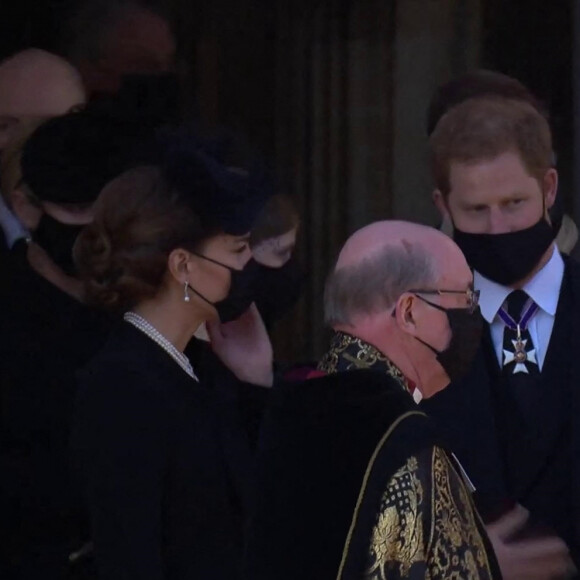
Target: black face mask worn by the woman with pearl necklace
241,294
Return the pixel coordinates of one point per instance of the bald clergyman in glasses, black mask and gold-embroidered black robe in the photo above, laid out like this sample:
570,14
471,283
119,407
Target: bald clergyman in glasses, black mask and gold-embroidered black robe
352,483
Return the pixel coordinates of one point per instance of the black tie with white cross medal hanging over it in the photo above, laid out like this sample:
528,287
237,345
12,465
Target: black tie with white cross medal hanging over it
519,353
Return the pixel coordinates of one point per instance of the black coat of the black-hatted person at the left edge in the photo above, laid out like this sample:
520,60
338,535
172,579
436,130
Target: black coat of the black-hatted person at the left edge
45,338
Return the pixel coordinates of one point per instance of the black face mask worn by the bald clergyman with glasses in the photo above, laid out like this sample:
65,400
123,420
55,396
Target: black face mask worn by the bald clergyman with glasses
466,328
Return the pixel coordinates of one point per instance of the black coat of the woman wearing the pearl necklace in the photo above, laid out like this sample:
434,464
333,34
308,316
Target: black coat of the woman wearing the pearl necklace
165,463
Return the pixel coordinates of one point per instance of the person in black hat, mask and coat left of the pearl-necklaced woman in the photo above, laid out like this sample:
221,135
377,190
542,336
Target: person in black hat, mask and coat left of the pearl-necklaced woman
46,334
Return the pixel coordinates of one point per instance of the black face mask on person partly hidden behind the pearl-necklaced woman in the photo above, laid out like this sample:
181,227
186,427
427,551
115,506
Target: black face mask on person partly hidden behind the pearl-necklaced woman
278,289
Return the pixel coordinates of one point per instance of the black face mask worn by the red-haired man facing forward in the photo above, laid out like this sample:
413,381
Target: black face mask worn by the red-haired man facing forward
506,258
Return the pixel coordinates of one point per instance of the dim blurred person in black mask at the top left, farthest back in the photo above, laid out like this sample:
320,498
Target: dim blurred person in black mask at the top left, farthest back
125,51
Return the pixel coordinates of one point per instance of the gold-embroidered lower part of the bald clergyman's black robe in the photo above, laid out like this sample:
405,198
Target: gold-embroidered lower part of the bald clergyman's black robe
426,526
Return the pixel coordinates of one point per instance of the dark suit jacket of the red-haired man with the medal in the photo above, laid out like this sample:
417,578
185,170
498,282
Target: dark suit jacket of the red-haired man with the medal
467,415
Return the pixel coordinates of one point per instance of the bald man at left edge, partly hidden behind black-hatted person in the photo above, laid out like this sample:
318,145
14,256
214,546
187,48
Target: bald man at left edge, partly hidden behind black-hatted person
35,85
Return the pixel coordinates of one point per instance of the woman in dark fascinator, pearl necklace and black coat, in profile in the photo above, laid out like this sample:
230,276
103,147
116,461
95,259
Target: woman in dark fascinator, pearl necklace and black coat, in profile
159,433
